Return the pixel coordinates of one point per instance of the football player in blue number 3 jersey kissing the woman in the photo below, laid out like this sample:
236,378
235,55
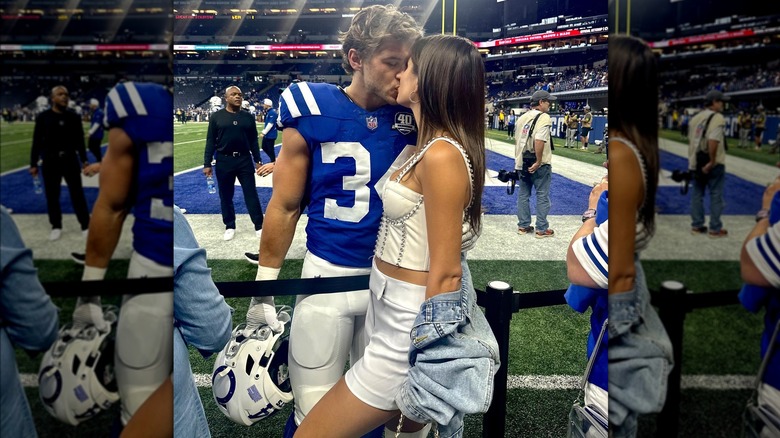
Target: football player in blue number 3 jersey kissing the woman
338,143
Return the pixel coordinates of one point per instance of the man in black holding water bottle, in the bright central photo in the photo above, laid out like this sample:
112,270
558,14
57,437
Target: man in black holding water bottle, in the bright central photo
232,134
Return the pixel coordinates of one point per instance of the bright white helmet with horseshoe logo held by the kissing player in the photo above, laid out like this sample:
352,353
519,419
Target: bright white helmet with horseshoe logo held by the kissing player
250,379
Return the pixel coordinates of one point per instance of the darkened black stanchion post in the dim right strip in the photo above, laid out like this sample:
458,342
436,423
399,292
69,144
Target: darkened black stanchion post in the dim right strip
672,313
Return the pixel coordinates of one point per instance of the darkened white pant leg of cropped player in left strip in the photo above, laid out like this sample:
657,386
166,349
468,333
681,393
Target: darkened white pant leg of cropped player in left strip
144,348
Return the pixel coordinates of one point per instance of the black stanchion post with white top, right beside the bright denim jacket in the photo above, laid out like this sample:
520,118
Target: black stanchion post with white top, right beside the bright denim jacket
498,312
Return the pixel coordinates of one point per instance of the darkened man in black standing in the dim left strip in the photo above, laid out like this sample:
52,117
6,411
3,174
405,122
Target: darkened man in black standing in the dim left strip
58,138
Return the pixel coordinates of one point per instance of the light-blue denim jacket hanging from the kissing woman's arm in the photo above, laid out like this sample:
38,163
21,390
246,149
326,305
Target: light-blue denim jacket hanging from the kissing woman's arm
453,361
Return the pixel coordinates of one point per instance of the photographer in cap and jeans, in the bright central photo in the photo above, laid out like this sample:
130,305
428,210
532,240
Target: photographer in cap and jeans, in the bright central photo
533,154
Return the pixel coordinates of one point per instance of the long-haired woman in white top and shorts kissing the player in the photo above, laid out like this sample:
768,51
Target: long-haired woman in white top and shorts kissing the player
432,216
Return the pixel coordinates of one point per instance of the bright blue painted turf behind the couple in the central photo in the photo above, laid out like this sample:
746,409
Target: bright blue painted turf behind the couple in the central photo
190,192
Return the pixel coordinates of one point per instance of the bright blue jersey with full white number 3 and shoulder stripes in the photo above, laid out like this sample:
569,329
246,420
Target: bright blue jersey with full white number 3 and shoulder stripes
350,150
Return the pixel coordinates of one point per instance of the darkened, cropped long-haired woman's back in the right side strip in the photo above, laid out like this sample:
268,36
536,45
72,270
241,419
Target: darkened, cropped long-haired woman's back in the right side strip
640,353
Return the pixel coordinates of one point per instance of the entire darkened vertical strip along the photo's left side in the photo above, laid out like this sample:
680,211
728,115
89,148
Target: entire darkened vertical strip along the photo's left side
85,185
